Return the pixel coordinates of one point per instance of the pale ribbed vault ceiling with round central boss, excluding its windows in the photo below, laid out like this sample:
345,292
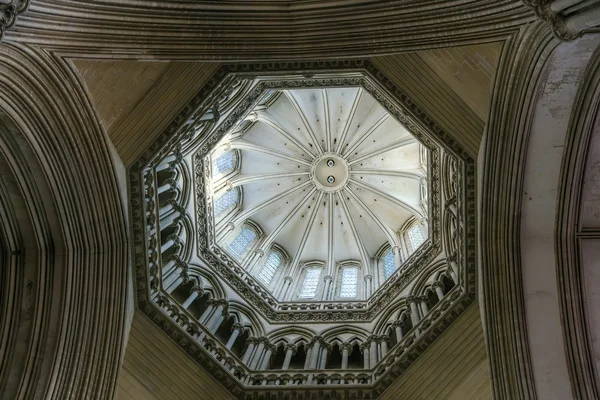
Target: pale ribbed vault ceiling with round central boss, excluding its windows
326,174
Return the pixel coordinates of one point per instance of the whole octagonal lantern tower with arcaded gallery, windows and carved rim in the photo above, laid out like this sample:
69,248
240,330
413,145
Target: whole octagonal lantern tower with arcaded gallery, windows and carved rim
303,225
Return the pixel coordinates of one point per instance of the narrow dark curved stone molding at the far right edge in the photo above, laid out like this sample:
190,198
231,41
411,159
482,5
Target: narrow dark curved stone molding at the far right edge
572,302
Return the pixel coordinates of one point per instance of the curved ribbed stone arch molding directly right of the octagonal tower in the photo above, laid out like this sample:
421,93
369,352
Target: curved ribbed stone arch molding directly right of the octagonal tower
500,268
